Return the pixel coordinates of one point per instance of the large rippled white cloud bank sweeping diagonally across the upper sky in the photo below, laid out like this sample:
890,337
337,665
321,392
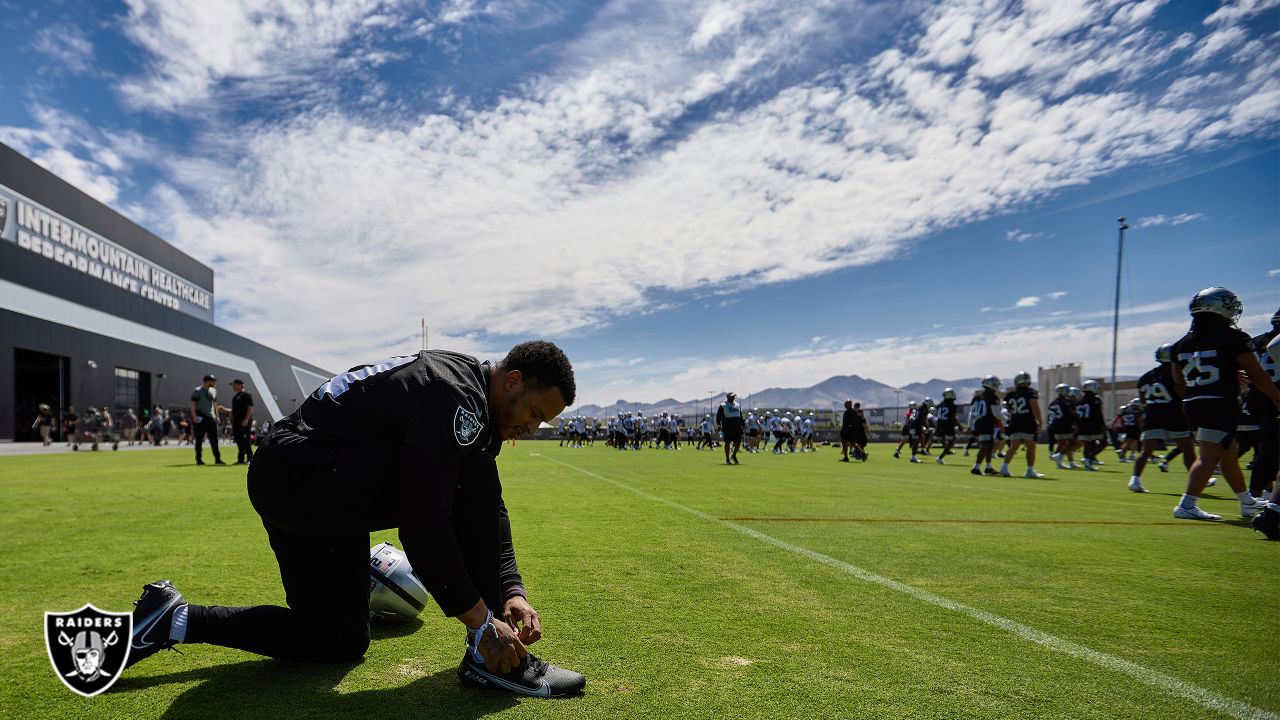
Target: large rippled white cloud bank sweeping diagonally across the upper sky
660,131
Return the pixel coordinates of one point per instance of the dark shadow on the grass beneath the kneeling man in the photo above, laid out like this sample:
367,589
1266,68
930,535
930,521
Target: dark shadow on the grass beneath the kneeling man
284,691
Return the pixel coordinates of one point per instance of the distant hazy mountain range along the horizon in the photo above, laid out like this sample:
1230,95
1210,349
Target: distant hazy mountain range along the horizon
828,395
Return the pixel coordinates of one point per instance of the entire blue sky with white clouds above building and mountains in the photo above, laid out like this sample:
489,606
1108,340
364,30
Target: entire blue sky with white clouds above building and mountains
688,197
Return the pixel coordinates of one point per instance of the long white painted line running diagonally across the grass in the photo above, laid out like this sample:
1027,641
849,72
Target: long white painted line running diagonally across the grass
1168,683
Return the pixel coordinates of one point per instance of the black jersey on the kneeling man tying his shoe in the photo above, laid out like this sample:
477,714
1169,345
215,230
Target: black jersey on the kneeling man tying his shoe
436,402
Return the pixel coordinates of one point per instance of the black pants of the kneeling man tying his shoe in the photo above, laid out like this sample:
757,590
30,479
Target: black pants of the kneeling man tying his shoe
313,511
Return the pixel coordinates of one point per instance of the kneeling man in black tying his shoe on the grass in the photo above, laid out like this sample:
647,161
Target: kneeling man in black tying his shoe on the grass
405,443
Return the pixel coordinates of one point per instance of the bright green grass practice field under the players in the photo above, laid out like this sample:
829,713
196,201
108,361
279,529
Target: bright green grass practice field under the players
787,587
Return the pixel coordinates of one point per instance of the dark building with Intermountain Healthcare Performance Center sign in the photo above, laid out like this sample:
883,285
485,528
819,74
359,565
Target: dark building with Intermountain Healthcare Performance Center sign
95,311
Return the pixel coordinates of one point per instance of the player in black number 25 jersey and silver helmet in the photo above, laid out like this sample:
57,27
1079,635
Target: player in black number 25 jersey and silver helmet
1206,364
